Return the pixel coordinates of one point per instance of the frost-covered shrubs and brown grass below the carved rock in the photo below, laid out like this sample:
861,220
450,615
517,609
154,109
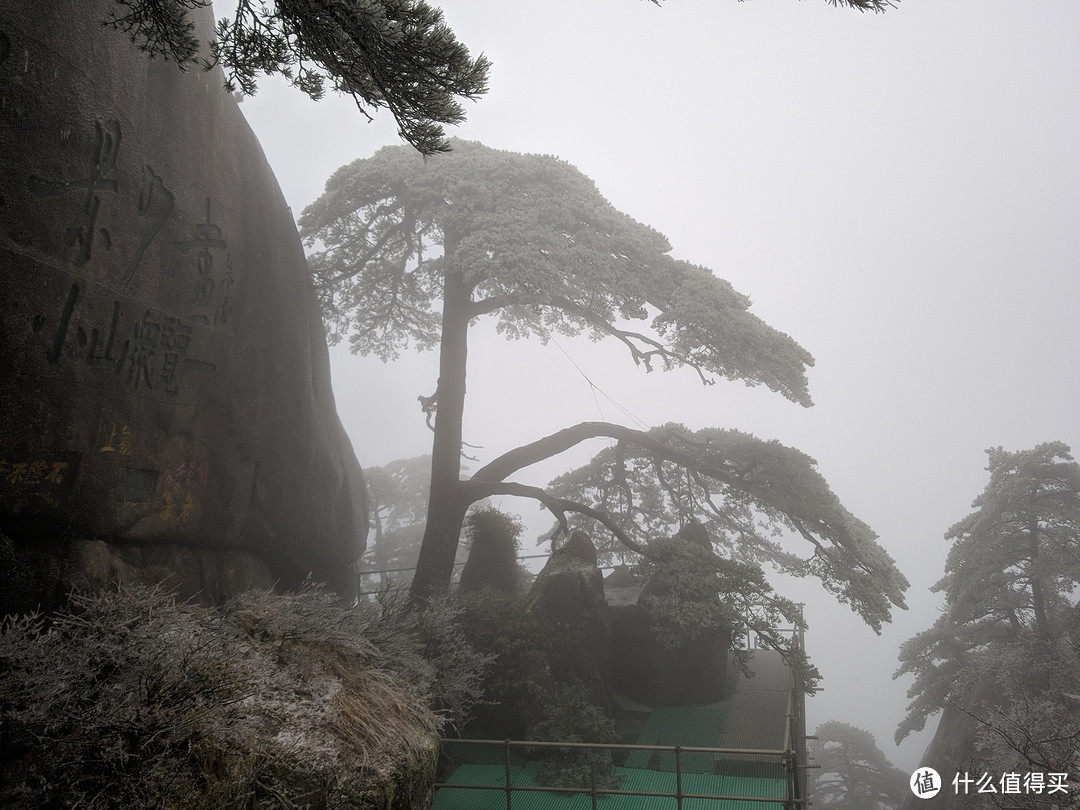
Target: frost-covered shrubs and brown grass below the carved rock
129,700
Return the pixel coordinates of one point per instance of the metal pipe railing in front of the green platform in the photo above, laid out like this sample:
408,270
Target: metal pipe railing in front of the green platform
787,759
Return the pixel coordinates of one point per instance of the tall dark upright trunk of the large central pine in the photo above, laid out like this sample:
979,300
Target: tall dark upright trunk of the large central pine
447,503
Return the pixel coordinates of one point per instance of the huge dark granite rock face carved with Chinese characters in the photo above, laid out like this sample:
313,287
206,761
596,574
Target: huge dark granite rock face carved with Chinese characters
166,404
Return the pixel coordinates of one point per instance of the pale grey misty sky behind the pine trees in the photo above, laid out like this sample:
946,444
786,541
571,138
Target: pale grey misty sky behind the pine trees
899,193
